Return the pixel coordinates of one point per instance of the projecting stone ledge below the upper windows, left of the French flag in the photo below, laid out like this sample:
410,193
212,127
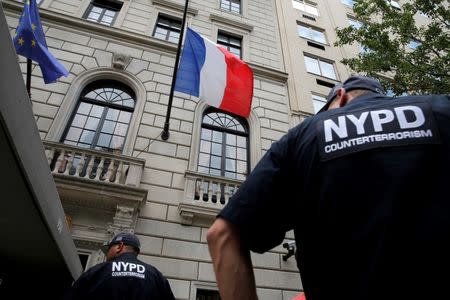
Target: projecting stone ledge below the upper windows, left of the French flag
78,24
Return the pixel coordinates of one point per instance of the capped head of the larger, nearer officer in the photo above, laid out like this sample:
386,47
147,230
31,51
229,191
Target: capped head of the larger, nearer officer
354,86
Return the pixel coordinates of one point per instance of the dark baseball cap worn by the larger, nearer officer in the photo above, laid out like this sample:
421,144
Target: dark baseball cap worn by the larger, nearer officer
355,82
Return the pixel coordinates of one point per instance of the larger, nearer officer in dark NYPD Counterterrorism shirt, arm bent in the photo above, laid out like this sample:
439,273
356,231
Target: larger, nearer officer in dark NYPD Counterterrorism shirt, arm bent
364,187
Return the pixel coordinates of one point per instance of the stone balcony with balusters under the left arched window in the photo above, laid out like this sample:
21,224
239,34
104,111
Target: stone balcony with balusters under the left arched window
95,178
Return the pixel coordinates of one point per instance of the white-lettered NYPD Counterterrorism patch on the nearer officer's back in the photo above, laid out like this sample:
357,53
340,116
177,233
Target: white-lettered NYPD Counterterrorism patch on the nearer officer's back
388,125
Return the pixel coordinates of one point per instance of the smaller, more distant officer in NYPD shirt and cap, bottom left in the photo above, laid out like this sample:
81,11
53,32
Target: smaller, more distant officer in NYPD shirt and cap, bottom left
122,276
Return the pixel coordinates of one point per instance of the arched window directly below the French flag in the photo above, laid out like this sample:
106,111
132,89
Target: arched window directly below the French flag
223,145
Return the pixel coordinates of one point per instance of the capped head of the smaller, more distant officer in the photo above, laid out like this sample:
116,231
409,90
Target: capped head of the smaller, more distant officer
122,243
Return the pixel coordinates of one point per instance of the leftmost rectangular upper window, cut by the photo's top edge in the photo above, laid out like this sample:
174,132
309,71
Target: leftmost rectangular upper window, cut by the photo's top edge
103,12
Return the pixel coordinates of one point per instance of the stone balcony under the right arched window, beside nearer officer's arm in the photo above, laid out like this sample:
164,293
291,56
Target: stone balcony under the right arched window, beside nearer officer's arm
204,196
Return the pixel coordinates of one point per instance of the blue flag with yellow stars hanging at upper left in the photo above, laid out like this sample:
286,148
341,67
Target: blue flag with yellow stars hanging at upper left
30,42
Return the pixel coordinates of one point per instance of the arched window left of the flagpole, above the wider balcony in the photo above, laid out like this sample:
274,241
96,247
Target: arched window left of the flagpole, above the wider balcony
102,117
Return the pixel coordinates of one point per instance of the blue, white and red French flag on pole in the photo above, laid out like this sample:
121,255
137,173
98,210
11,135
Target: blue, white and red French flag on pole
214,75
